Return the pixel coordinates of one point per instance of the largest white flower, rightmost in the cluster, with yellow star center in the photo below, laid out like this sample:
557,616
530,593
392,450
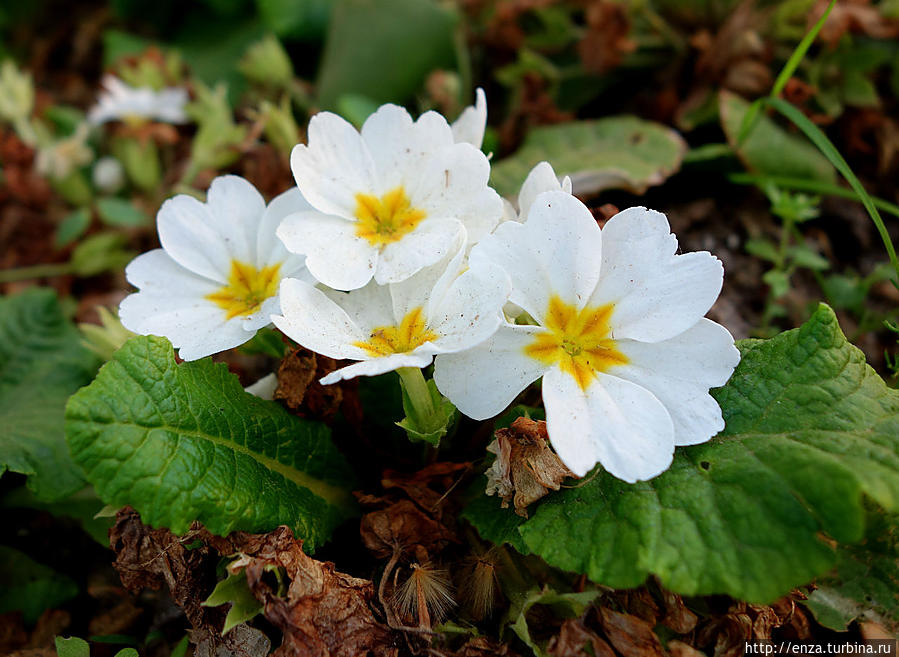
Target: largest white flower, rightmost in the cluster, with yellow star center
626,357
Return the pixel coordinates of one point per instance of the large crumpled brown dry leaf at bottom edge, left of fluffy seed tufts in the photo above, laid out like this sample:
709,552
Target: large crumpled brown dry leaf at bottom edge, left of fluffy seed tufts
326,613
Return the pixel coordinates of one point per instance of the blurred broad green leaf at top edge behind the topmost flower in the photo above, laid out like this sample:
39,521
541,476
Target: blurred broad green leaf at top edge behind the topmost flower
384,50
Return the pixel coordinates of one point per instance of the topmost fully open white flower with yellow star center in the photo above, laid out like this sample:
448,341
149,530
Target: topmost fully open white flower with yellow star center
388,201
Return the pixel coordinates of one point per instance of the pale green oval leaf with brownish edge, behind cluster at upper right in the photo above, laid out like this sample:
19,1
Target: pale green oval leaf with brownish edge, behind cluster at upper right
619,152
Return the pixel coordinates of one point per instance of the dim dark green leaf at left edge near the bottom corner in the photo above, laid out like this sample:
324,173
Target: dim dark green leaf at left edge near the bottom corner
30,587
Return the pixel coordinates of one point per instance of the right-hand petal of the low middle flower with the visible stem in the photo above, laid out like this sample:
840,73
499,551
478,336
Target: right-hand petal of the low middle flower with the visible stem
471,310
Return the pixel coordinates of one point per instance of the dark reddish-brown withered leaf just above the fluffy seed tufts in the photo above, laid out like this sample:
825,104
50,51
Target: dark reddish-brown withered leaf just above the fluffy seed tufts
402,526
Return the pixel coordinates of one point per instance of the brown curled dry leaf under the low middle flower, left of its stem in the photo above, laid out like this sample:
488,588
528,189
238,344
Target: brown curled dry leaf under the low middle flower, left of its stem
299,387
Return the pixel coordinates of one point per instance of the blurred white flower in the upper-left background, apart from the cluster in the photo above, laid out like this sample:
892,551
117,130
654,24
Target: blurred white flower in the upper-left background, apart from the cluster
121,102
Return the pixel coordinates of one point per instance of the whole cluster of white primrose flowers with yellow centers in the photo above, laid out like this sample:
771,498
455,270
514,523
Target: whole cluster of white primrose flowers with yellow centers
394,252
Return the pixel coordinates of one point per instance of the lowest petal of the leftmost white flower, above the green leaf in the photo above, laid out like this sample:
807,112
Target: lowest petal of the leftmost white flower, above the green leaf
196,326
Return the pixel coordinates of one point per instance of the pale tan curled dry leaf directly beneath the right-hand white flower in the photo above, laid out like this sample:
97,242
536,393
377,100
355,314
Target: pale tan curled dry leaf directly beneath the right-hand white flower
525,469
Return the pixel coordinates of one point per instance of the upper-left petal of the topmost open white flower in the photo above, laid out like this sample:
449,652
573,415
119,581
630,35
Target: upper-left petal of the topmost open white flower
334,167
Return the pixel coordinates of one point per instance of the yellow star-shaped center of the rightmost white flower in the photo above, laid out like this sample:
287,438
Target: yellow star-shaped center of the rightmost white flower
577,341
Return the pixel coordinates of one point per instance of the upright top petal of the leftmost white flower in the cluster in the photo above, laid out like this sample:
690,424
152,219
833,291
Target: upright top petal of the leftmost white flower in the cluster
236,208
